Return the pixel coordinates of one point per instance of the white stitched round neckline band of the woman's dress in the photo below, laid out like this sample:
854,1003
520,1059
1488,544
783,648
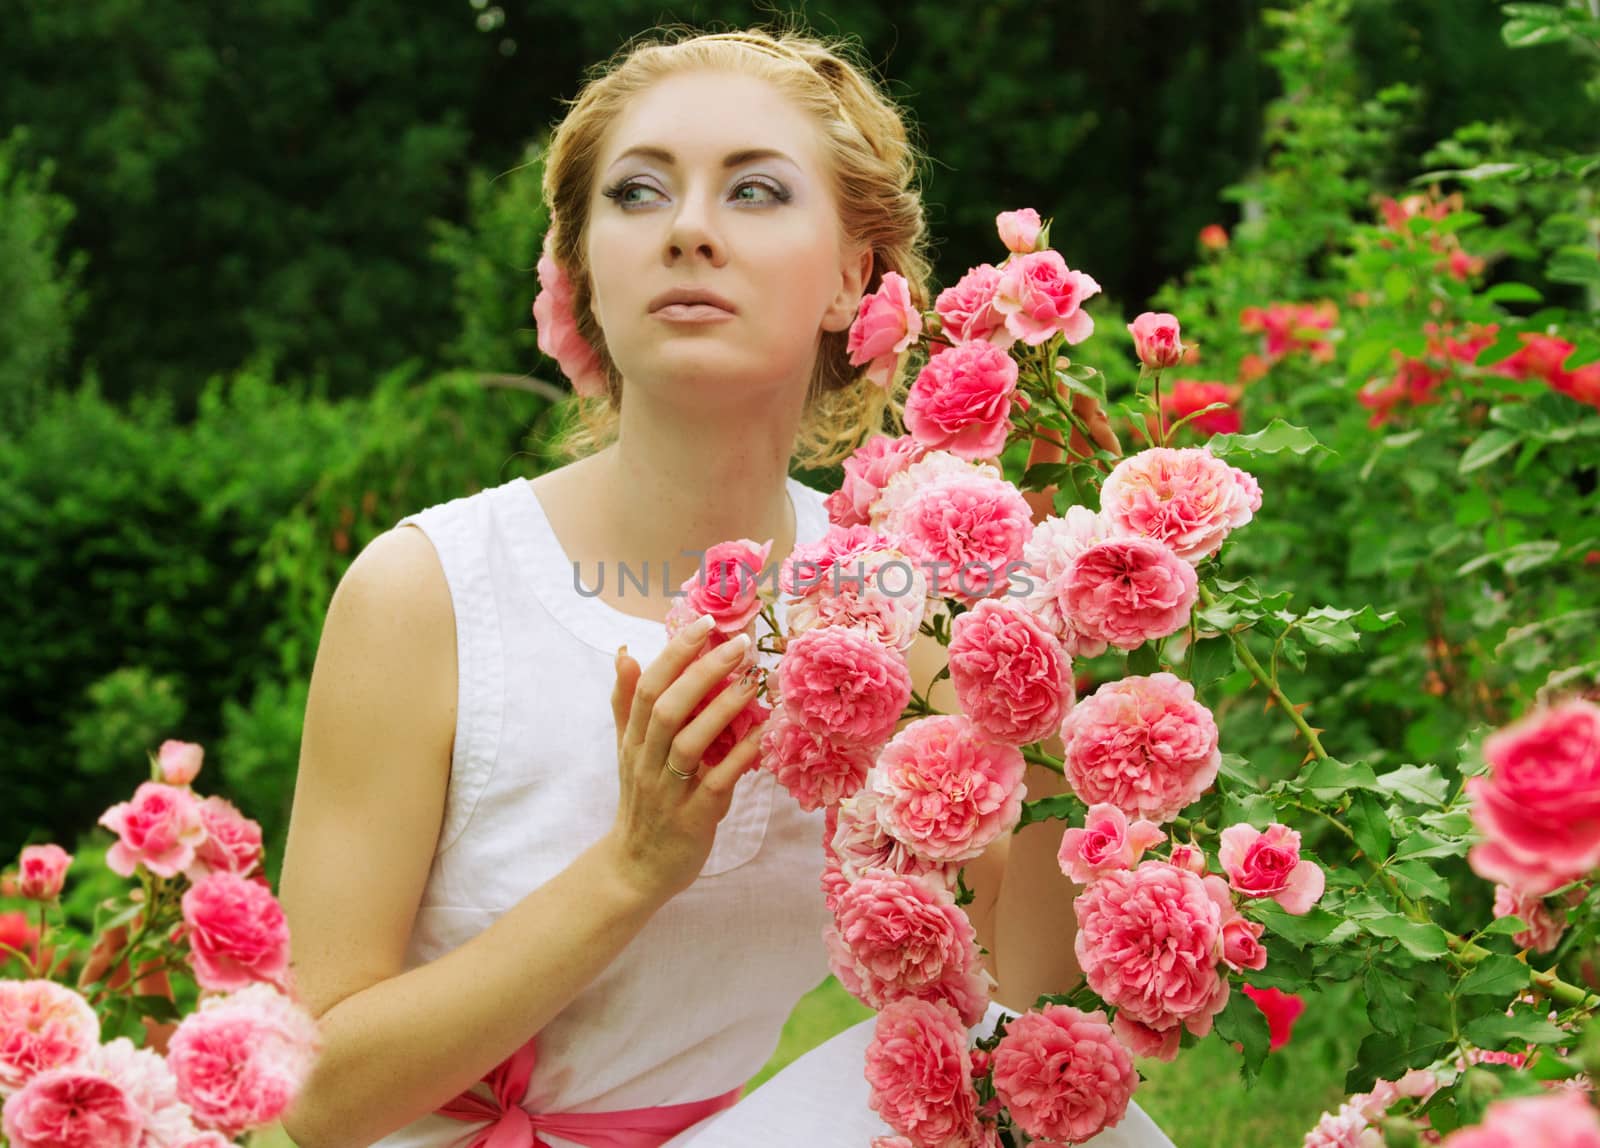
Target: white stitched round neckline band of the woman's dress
594,621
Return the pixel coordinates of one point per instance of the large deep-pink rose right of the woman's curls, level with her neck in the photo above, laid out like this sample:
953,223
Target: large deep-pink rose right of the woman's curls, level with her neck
962,401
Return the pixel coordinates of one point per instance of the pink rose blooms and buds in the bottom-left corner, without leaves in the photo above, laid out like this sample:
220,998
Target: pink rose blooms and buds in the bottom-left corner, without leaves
231,1066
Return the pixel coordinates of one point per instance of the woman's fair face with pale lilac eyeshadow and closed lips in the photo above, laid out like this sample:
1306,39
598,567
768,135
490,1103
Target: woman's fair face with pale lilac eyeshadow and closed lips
713,181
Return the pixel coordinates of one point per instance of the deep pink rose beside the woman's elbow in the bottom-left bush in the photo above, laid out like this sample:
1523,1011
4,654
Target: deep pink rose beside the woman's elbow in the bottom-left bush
238,933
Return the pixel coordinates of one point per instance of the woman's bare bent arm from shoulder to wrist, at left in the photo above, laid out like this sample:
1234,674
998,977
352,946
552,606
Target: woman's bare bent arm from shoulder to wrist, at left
369,805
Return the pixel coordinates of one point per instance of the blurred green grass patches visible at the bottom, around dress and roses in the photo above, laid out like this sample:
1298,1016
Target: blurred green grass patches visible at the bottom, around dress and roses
1199,1099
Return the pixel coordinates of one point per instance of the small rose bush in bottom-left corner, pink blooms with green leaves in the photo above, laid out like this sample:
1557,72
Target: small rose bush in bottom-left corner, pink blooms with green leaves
209,1042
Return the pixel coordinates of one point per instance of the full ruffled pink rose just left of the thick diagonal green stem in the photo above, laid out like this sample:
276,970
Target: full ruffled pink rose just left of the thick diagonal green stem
1142,744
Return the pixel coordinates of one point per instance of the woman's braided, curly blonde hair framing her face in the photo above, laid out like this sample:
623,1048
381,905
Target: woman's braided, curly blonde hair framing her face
874,167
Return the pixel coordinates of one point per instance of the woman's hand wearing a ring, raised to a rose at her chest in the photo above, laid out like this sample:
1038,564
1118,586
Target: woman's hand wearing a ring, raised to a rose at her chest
666,826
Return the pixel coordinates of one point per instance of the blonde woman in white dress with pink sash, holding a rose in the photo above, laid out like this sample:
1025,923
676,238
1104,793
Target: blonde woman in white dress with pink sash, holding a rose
503,824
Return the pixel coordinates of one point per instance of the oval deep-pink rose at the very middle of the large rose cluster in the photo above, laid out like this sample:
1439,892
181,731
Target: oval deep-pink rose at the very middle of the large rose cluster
1010,676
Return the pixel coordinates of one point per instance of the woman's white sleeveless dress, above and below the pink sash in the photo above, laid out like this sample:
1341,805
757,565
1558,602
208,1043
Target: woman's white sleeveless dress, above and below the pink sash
695,1005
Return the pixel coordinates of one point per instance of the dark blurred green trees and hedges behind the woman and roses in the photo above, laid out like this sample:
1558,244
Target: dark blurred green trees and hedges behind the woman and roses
266,277
